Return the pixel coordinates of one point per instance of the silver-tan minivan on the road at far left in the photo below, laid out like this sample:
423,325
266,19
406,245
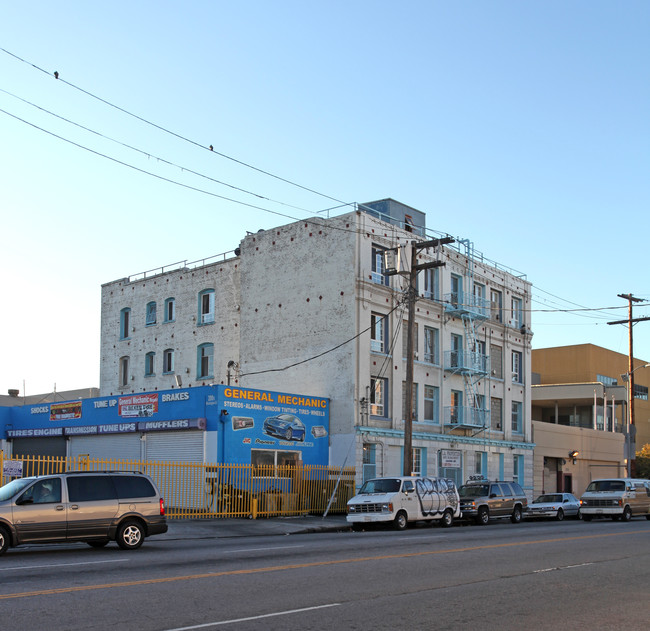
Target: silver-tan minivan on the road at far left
94,507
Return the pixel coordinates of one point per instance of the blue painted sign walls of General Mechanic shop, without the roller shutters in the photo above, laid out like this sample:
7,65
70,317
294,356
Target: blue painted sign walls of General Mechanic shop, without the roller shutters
240,423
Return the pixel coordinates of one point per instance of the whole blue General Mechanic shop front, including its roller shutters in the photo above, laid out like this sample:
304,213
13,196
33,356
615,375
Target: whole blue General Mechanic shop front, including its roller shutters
216,424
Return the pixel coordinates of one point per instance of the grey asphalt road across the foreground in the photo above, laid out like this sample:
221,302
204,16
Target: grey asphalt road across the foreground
538,575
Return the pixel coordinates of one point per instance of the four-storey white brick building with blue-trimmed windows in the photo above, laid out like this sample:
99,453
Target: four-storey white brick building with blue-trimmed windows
305,308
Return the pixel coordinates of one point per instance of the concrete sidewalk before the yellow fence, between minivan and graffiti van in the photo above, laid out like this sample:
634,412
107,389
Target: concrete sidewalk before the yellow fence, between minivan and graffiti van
217,528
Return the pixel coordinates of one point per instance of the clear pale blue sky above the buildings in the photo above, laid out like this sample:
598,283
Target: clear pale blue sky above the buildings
523,126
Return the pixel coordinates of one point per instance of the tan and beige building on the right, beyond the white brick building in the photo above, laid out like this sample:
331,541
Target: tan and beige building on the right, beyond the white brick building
579,404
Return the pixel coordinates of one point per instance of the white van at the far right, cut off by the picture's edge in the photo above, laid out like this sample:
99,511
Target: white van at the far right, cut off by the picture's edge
618,498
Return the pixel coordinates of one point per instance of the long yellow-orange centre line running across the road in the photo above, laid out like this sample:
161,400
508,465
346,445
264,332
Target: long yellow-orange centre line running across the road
298,566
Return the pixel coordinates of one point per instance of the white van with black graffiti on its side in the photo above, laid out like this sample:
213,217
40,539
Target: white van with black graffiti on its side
403,500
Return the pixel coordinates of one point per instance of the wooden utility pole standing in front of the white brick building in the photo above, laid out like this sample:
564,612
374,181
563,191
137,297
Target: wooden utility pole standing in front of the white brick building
412,292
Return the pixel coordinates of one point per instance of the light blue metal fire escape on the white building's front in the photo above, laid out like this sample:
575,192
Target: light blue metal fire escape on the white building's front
469,361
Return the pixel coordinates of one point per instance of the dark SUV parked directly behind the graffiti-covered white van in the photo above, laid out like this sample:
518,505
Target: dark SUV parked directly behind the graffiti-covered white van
481,500
